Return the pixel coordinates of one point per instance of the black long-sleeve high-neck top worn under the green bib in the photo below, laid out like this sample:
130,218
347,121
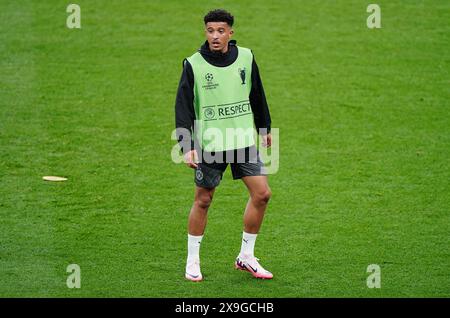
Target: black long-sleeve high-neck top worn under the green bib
184,104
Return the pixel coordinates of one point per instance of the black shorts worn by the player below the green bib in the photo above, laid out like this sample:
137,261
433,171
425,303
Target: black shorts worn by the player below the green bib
209,174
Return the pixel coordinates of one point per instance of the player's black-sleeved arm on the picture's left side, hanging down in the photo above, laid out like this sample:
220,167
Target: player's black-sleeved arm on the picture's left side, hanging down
184,108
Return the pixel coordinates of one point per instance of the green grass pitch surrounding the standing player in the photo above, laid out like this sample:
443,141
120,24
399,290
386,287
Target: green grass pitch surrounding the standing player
364,172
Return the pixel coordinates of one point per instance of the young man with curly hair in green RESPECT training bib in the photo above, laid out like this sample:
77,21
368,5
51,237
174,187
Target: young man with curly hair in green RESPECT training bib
220,91
